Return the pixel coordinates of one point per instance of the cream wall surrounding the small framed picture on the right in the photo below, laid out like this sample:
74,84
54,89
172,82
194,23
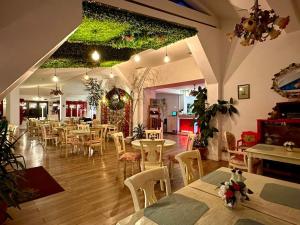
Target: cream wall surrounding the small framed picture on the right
258,69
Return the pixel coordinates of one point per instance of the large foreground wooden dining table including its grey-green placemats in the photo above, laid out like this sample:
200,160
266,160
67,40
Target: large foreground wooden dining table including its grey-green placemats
273,202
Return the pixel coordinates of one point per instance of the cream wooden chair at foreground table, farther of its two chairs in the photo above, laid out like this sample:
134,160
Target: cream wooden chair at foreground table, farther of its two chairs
186,162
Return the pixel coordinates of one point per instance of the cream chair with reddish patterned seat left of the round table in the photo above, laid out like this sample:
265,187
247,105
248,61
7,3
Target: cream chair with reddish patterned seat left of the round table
123,155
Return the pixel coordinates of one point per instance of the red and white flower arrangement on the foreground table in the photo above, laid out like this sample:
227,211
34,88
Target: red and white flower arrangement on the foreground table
234,190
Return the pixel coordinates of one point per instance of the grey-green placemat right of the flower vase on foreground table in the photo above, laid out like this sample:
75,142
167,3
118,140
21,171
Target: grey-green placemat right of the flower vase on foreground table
282,195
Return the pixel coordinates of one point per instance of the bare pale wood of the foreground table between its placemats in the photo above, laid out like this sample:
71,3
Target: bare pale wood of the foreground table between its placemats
263,212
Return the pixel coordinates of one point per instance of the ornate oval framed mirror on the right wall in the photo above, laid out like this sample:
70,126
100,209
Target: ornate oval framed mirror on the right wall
287,81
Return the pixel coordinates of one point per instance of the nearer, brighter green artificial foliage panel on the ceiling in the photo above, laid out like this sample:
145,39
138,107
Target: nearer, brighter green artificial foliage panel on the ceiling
106,25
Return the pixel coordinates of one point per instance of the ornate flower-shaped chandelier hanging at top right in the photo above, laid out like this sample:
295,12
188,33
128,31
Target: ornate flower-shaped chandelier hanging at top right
260,25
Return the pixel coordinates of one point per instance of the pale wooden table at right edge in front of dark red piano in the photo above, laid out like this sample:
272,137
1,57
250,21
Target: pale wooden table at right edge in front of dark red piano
272,152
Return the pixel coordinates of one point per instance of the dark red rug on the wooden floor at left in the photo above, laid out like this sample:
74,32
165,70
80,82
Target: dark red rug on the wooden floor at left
37,183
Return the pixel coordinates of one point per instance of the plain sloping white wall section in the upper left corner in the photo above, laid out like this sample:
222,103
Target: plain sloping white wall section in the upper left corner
29,33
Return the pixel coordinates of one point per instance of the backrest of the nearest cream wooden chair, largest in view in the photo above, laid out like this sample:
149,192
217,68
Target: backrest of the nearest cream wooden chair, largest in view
145,181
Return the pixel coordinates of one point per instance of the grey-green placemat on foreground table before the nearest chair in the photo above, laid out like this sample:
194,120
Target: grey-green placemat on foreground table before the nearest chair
176,209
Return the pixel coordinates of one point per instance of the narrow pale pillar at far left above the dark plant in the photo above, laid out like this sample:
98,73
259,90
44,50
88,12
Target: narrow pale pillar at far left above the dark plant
13,107
